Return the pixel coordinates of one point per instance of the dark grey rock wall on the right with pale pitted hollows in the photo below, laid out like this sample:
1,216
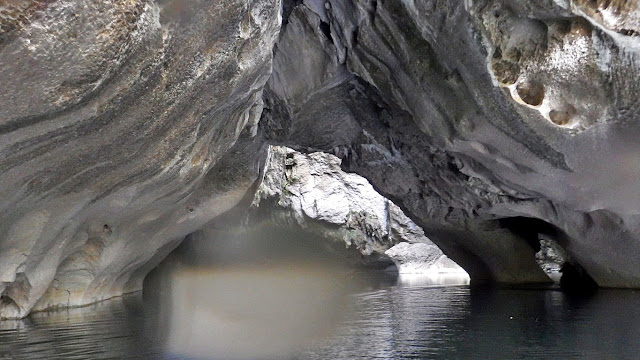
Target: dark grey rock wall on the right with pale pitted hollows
488,122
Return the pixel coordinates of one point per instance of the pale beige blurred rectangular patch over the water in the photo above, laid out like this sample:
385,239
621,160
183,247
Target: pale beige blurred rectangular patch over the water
257,312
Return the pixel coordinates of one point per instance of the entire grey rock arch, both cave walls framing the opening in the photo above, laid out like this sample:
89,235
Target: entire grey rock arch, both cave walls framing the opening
490,123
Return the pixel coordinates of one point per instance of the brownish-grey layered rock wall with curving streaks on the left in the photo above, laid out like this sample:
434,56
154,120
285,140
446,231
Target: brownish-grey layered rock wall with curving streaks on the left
115,121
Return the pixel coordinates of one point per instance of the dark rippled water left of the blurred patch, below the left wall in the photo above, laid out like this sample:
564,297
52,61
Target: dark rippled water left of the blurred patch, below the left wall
112,329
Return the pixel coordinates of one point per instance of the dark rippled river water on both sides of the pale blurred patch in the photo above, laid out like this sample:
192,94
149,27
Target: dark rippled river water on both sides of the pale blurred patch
389,320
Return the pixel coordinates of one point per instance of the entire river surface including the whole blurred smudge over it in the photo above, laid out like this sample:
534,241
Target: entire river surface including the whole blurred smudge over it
273,298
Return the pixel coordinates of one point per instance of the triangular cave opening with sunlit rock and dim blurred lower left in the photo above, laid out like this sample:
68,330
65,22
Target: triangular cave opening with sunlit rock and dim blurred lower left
307,208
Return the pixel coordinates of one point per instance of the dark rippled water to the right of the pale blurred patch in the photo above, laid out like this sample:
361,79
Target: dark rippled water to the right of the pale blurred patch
461,323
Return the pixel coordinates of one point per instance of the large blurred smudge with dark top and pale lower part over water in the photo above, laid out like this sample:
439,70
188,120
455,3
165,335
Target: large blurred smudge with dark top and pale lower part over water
265,293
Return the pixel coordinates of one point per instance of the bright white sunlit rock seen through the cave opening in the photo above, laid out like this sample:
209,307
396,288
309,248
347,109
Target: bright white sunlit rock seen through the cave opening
312,191
